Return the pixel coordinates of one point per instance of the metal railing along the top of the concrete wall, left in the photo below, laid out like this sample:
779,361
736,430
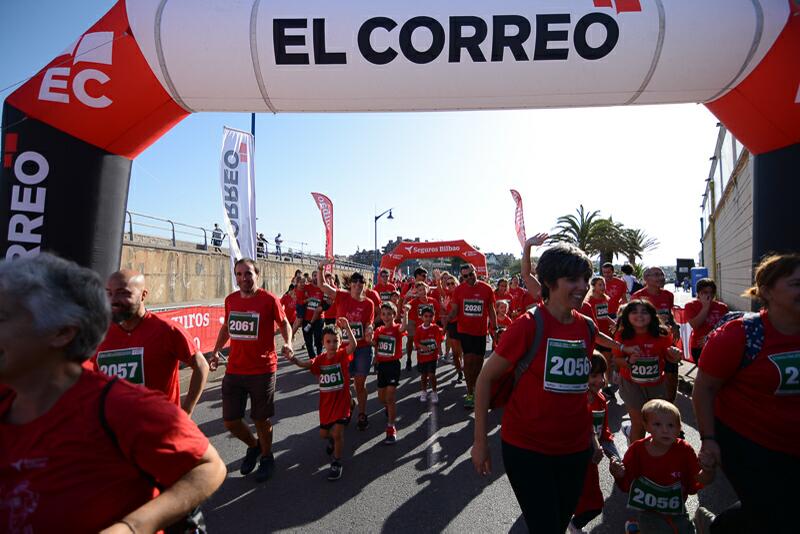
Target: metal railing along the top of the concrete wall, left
172,231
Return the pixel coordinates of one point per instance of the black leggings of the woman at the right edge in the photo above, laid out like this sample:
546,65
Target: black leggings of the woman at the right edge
767,483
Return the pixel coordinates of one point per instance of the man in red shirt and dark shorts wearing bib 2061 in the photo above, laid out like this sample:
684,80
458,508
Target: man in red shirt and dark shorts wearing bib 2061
250,315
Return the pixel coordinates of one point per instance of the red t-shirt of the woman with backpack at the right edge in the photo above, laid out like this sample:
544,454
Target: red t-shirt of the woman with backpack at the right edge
761,401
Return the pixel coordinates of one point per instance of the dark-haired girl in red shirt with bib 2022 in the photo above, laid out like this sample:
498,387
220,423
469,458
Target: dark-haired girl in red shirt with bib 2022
642,376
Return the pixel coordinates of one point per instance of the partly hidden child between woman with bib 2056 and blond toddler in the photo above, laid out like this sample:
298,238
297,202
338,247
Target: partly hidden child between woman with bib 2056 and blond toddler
591,502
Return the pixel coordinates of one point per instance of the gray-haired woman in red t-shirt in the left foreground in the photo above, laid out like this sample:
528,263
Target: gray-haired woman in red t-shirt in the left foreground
69,436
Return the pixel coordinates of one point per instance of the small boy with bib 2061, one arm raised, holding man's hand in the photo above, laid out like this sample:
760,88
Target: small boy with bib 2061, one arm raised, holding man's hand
331,368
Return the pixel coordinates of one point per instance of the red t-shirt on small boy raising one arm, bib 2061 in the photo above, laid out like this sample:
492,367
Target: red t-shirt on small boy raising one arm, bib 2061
333,375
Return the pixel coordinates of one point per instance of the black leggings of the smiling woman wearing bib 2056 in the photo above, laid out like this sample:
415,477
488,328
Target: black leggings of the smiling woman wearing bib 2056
547,487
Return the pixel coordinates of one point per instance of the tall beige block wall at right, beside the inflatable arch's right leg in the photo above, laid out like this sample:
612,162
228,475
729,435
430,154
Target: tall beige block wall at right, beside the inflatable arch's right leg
728,244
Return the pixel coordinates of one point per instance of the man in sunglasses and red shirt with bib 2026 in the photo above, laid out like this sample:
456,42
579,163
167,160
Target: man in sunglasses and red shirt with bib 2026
474,307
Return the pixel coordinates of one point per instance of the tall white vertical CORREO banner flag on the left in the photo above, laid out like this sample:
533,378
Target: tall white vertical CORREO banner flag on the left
238,183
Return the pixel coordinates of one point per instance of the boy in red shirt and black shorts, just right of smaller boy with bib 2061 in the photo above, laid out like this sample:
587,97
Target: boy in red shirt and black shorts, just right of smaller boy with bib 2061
388,341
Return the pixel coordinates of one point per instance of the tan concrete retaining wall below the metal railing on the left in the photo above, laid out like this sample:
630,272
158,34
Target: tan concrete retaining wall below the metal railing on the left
181,276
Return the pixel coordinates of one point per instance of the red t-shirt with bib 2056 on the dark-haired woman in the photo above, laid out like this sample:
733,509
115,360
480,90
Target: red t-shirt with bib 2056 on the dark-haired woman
547,411
